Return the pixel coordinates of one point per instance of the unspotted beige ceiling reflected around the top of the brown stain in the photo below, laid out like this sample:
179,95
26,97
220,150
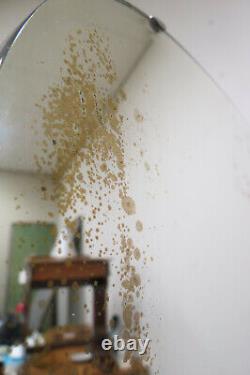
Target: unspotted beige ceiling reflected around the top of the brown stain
35,59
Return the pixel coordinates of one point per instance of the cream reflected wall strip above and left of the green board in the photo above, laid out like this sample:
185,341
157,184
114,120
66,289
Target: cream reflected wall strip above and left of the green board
21,201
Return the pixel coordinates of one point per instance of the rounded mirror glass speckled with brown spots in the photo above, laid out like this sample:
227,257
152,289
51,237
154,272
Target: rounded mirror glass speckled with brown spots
117,141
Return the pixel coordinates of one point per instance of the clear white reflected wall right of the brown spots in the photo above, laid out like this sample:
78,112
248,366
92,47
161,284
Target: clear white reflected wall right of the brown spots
196,215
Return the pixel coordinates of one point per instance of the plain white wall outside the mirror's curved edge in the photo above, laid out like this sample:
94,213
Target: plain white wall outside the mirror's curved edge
216,34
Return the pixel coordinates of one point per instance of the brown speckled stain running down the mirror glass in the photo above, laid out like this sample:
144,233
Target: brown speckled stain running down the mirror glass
83,144
